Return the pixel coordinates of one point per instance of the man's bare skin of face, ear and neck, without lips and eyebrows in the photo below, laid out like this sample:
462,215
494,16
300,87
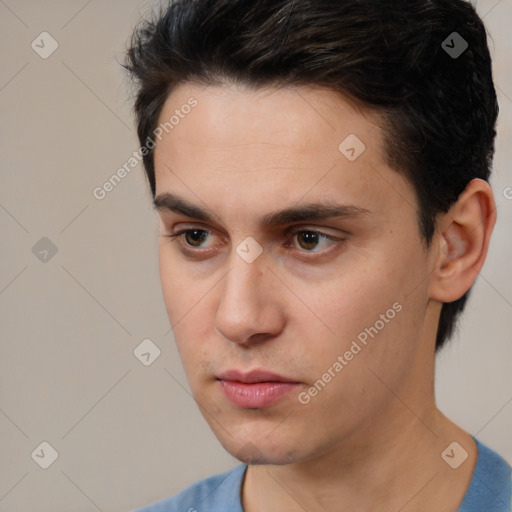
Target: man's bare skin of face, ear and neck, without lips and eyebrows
373,434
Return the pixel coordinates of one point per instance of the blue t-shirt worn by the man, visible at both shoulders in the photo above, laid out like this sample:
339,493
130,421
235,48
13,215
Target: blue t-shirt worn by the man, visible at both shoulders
488,491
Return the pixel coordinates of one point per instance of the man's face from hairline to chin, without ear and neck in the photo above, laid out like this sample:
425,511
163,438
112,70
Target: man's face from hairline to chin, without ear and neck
282,297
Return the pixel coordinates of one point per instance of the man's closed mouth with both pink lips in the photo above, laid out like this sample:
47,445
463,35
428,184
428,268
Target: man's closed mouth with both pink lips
257,389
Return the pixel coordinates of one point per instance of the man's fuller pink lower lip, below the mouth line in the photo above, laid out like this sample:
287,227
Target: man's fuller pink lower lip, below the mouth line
257,395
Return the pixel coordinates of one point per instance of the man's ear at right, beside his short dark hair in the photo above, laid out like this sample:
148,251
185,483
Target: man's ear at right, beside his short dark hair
461,242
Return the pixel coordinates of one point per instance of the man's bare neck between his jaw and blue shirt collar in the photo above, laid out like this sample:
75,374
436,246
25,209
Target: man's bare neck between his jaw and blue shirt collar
398,472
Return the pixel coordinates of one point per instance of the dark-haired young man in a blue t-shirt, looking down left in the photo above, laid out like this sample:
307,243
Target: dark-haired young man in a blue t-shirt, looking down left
320,173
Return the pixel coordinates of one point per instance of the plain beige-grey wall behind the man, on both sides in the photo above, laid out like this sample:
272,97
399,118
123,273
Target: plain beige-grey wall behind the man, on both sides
127,434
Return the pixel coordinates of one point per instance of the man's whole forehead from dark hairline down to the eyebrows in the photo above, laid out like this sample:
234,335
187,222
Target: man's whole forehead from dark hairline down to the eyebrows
242,150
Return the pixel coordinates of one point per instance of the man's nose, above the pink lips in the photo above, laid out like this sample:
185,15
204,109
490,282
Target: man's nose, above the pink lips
249,310
